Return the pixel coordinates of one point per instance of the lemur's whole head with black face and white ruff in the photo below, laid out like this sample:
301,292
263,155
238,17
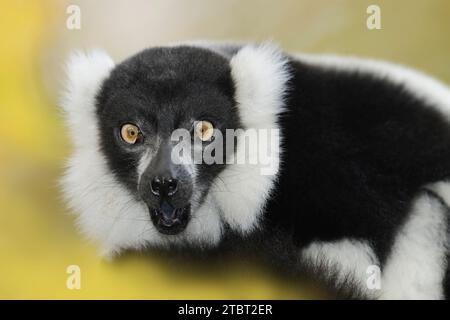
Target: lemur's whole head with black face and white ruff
142,128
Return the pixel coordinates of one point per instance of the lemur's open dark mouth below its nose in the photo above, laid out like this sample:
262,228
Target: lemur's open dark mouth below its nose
169,220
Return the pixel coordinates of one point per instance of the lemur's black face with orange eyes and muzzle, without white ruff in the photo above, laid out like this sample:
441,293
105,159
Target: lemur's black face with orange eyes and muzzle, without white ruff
142,104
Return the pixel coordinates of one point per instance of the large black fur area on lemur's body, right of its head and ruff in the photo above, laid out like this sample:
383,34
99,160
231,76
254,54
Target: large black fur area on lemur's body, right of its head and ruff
357,151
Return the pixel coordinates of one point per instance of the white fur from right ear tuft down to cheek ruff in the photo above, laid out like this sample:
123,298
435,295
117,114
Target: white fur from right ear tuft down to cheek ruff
260,74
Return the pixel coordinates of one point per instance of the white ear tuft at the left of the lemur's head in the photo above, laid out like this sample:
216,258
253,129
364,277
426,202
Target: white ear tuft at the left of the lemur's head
86,73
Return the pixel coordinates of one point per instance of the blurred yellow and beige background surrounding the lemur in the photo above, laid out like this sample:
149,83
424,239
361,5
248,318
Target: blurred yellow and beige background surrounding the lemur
38,240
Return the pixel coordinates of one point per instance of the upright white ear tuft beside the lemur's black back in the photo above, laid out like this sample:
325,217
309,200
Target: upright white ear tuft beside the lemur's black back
260,73
